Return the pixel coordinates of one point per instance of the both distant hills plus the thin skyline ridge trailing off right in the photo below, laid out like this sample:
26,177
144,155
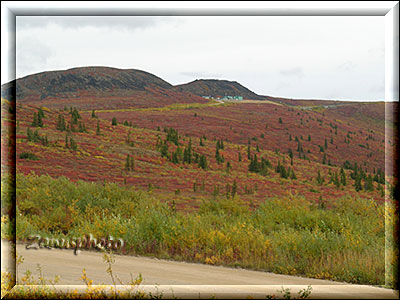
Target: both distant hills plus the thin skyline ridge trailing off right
112,88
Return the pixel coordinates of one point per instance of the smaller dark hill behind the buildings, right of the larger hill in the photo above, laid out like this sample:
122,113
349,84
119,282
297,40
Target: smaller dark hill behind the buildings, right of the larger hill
217,88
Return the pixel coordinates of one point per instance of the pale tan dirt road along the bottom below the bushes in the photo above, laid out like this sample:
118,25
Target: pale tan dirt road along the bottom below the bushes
184,279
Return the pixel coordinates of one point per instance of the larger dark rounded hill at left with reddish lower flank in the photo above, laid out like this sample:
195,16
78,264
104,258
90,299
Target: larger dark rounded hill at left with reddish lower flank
95,87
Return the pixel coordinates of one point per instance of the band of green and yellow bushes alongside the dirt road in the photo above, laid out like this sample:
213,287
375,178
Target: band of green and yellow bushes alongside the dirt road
286,235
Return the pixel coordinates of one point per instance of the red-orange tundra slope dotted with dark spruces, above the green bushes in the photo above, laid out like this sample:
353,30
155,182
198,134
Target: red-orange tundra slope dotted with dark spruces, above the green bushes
165,148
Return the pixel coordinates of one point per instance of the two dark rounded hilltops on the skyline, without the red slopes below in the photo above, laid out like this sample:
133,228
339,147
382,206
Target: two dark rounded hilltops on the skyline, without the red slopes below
68,83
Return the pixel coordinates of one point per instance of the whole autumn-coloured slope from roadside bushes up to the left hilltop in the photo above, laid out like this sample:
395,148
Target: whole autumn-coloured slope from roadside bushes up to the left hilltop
269,186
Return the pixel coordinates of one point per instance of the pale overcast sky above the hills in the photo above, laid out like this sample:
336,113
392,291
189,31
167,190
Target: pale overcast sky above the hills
296,57
